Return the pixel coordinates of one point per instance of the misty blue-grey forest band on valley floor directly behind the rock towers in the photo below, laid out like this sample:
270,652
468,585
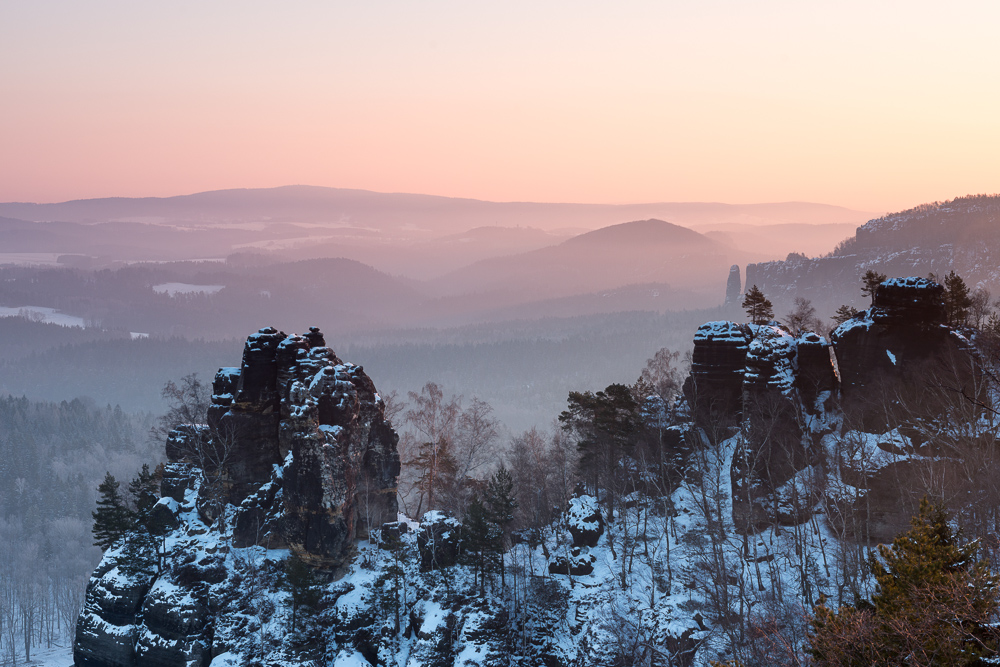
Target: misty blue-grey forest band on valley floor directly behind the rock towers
526,379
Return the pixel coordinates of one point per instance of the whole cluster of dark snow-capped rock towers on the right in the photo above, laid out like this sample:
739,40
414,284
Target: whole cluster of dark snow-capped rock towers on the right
798,406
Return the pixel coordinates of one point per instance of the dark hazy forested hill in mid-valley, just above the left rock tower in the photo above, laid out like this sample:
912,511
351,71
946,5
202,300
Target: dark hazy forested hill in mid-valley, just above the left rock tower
354,296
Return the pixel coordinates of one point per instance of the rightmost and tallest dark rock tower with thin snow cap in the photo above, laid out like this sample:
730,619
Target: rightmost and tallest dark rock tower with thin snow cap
891,358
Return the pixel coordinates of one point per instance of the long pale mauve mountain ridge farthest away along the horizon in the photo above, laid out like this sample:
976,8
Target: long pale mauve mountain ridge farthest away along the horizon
399,211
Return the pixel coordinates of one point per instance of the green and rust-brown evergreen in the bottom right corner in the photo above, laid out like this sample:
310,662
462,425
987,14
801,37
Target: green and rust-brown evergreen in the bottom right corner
933,605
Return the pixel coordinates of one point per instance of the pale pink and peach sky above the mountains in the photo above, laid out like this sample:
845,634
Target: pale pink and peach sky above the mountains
876,106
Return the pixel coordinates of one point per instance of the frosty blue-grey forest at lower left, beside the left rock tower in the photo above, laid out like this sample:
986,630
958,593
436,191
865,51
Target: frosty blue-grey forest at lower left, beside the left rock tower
51,457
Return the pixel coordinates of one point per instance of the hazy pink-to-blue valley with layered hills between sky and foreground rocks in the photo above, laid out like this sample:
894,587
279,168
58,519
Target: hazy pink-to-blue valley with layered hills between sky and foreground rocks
513,303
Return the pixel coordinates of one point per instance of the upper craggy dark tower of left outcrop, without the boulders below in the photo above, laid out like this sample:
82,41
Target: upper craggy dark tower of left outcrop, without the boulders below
293,396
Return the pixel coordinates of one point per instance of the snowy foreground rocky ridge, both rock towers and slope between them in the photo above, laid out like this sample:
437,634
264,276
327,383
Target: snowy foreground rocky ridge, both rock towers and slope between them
784,458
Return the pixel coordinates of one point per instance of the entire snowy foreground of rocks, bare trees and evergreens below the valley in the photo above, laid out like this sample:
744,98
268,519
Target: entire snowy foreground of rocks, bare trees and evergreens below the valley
710,512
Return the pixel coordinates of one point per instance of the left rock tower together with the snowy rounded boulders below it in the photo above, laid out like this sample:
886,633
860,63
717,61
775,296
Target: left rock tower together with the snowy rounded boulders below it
296,454
